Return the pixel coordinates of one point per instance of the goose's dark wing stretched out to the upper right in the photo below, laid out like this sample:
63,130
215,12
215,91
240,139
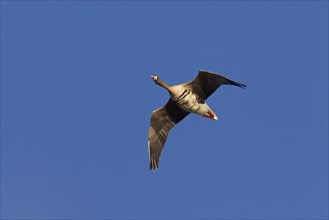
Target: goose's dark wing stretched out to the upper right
206,83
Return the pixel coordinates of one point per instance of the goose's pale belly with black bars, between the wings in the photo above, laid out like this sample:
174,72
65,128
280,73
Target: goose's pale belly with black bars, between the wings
192,103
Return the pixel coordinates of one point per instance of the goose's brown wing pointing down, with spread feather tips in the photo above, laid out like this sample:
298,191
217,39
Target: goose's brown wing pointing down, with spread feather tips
162,120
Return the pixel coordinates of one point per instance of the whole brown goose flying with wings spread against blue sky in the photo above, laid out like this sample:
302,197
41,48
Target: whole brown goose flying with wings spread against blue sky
184,99
